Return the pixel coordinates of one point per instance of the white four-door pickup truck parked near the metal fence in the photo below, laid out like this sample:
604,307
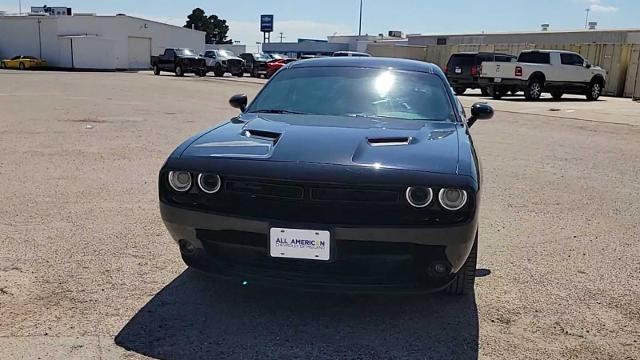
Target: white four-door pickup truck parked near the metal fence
540,71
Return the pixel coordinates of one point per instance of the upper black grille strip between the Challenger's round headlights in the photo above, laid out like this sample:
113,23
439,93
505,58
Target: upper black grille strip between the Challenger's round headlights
313,203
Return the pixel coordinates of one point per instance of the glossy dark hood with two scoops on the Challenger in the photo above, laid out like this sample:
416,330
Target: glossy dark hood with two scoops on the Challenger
352,141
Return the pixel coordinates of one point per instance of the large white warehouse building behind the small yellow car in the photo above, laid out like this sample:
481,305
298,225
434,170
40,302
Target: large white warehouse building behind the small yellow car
93,42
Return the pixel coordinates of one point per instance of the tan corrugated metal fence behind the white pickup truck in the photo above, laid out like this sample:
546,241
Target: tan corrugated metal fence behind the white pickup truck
622,61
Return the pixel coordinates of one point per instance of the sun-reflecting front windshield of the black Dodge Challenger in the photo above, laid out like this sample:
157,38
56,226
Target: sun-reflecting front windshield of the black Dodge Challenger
358,92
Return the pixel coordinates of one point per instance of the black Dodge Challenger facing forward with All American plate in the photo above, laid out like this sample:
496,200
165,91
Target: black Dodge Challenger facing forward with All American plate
354,174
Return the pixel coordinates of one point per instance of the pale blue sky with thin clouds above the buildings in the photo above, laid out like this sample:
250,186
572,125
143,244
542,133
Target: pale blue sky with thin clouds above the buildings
319,18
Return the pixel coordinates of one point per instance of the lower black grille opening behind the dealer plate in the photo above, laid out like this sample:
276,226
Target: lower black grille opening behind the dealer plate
353,262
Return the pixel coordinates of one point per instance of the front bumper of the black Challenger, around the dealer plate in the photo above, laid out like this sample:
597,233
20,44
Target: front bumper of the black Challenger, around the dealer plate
363,258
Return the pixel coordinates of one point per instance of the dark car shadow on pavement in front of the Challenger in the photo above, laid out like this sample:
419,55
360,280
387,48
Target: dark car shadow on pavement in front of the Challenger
200,317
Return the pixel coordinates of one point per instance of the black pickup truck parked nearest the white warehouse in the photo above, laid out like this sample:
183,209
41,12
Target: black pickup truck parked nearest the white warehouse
180,62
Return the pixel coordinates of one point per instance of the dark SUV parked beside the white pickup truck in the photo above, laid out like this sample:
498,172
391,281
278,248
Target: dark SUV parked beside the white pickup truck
463,69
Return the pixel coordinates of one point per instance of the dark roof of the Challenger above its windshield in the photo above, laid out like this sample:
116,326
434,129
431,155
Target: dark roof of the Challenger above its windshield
367,62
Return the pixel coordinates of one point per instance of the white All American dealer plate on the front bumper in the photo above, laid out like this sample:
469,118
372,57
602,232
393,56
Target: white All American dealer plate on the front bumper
300,244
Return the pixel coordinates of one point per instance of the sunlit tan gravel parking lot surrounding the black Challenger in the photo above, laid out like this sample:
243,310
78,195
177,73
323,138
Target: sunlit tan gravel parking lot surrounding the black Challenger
87,269
